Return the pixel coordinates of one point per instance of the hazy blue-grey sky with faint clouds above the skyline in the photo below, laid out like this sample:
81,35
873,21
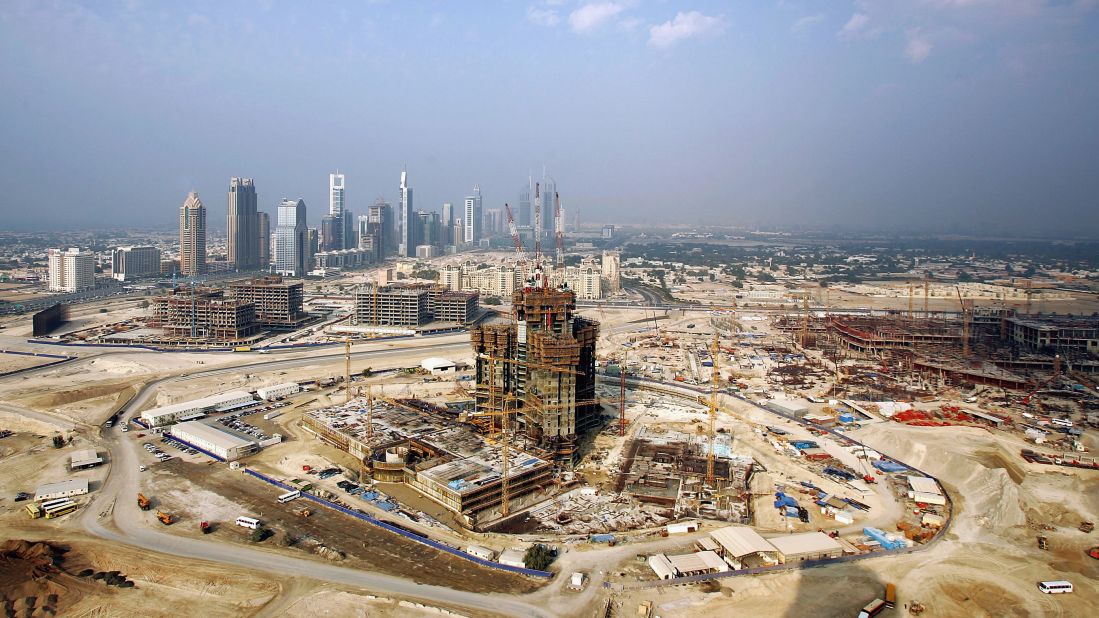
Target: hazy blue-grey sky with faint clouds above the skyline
923,116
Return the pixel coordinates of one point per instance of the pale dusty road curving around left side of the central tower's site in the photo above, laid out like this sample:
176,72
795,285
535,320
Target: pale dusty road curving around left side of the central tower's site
114,515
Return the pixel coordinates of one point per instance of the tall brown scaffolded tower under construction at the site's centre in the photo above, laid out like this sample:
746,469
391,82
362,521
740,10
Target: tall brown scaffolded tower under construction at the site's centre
541,367
